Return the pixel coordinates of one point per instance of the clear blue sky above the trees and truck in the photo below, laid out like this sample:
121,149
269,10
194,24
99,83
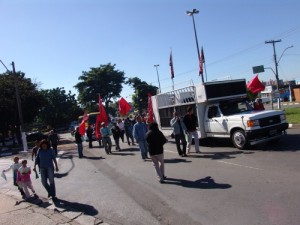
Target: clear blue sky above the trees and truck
53,41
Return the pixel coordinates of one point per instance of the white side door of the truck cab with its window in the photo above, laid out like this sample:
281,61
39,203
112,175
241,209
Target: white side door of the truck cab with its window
215,123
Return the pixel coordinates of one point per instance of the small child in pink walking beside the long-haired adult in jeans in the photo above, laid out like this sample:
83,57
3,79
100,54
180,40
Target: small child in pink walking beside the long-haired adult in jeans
23,178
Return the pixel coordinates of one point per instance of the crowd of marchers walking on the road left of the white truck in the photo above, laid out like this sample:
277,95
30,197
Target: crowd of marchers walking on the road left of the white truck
149,138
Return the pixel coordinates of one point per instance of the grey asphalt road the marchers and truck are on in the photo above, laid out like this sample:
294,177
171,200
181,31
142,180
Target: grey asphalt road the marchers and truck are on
220,186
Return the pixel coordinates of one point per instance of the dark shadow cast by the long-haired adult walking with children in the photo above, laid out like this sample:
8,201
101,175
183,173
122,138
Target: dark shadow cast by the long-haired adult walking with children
76,207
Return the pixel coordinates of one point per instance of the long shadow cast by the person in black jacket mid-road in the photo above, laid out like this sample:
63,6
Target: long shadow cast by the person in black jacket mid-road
204,183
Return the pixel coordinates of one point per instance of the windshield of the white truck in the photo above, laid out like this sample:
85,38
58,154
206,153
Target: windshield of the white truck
235,106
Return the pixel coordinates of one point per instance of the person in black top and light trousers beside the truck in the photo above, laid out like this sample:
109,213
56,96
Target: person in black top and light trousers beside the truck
190,121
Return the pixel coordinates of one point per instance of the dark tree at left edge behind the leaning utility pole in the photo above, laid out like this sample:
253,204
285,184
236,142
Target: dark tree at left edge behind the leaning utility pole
31,99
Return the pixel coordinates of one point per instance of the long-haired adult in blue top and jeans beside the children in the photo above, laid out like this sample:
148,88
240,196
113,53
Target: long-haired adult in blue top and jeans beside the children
45,159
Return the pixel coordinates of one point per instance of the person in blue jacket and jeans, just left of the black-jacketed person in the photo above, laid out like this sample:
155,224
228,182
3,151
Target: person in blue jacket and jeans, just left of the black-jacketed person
139,133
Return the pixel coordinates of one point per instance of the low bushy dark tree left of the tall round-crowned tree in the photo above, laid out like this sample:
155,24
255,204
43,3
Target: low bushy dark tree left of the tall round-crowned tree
60,108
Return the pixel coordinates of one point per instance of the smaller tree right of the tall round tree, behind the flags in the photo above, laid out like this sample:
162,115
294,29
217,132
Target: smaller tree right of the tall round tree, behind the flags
141,91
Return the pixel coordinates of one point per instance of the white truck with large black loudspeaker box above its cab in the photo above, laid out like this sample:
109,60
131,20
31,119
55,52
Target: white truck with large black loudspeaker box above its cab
223,111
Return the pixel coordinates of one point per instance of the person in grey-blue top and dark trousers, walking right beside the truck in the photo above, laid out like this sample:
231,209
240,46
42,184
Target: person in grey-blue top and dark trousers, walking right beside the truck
179,131
